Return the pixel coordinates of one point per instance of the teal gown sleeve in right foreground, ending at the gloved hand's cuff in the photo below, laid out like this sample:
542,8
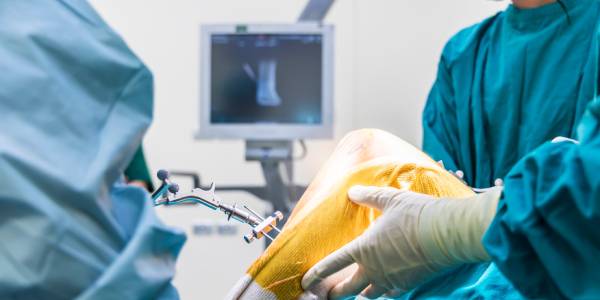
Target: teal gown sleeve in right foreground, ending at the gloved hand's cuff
545,237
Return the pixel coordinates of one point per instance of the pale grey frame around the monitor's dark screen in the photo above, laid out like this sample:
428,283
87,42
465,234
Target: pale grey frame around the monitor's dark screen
277,131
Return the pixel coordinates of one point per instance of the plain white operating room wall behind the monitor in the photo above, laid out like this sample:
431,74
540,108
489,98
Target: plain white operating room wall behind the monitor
386,54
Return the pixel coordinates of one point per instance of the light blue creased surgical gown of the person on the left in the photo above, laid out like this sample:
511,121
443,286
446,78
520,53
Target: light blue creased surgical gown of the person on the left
74,105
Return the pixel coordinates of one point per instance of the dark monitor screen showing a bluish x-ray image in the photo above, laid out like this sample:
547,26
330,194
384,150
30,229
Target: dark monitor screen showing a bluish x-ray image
266,78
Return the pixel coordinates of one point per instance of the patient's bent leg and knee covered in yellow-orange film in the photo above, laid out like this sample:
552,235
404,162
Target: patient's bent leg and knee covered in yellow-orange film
324,219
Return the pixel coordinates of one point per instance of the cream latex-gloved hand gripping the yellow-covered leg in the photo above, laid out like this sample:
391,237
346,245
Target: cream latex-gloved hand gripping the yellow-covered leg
416,237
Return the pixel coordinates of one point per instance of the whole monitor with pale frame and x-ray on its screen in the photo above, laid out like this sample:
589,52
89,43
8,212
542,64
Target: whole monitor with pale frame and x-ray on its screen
266,82
